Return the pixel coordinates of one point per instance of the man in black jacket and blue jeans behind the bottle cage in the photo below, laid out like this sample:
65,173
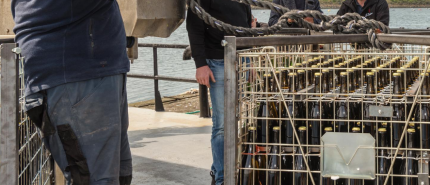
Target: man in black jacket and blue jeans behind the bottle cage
208,55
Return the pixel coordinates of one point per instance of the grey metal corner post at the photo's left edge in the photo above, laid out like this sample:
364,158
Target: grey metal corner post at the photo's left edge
9,115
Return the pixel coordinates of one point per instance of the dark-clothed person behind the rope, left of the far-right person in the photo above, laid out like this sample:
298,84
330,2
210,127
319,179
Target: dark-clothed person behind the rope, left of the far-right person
295,5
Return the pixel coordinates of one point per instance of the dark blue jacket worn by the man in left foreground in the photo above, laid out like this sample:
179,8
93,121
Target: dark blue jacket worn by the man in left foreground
69,40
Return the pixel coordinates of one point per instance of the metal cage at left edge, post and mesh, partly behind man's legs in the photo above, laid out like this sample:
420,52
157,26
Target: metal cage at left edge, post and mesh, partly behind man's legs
23,157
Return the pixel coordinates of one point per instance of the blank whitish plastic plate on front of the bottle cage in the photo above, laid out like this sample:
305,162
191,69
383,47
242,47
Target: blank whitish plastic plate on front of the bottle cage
348,155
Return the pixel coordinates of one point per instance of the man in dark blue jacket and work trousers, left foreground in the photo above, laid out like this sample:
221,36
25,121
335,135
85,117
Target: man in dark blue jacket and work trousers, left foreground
75,72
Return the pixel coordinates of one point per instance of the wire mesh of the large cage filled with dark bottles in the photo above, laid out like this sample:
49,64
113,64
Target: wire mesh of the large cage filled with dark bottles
252,88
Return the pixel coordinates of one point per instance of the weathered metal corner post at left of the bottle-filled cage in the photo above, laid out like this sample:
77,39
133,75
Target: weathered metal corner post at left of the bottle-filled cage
230,111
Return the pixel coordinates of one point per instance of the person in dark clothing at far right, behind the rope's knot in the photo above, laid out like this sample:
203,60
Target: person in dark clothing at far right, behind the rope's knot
370,9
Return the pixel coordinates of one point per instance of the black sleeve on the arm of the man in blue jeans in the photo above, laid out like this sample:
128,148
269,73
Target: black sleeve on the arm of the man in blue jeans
196,34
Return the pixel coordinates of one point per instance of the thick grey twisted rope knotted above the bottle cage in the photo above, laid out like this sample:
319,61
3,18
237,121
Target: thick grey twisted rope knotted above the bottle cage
350,23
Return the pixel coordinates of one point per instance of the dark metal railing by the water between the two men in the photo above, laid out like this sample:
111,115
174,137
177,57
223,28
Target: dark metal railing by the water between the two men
203,90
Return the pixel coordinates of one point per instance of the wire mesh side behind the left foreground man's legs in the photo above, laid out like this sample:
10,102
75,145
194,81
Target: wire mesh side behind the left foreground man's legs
35,162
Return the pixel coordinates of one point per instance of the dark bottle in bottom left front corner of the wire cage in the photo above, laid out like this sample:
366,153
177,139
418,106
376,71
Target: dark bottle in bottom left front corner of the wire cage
249,176
